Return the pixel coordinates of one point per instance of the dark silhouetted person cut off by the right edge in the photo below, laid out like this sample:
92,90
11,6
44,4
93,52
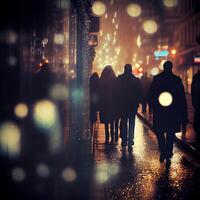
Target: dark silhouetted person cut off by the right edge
195,90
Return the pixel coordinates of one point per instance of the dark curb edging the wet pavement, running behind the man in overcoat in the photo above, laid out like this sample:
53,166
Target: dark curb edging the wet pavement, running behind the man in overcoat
180,143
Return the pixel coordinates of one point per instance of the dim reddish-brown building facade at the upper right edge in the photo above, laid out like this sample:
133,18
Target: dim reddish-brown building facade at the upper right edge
185,37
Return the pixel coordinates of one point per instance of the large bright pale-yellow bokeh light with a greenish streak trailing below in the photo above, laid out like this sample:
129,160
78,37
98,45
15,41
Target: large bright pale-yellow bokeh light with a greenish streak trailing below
45,114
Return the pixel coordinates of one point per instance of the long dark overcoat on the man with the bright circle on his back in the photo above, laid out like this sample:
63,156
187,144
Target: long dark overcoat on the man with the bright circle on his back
168,119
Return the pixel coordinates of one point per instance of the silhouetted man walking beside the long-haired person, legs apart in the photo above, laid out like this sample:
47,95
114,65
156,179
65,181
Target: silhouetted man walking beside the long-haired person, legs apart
129,94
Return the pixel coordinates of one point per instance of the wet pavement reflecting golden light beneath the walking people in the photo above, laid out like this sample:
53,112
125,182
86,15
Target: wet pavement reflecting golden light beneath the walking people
139,175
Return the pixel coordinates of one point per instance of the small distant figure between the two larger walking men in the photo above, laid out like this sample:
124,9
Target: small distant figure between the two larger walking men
145,84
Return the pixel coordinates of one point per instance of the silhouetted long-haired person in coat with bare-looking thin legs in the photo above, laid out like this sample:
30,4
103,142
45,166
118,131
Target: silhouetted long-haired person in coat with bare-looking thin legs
106,106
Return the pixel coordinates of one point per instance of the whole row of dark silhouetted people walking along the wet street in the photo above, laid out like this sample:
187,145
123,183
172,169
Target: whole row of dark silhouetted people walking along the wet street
117,100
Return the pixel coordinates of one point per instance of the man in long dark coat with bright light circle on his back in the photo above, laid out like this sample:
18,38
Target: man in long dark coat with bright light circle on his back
168,101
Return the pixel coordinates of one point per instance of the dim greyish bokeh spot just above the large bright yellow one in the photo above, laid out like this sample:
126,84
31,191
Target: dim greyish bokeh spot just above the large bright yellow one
59,92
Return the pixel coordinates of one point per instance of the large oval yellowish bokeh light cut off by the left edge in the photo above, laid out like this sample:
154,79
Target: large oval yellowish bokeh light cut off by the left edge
10,139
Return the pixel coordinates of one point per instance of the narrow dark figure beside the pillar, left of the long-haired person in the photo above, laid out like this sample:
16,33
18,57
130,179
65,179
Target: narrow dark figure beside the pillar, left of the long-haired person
94,99
